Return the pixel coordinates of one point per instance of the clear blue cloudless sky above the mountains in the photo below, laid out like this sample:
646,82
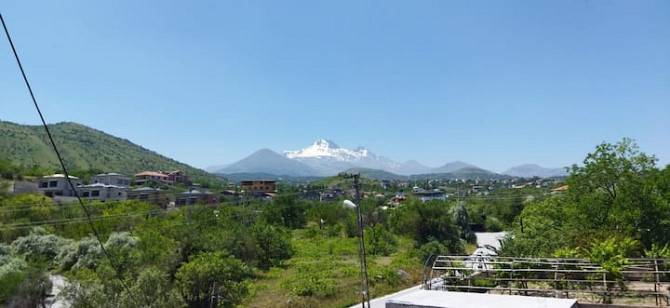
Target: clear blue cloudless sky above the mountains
492,83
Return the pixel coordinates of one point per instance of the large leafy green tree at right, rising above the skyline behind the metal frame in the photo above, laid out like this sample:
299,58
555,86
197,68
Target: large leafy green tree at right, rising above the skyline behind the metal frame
616,193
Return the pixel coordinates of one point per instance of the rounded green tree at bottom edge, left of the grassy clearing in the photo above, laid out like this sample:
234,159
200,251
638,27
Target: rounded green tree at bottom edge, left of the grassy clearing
197,278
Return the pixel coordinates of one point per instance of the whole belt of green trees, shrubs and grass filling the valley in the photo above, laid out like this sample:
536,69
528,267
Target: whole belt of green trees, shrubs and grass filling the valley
292,252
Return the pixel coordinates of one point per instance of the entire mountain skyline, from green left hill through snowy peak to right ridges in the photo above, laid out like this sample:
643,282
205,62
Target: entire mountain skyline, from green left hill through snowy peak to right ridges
86,148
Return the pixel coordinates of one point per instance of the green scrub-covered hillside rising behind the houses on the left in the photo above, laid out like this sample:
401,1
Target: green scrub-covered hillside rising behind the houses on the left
83,148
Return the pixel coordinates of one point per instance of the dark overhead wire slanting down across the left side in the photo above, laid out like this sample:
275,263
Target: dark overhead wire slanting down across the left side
60,159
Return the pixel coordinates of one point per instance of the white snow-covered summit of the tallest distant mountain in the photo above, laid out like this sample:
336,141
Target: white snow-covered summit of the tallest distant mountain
326,149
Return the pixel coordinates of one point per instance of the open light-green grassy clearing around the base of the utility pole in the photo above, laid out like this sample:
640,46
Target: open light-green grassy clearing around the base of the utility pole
324,272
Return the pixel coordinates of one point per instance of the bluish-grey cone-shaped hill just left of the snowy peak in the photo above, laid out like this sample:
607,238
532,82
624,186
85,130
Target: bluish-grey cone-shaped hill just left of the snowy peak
267,161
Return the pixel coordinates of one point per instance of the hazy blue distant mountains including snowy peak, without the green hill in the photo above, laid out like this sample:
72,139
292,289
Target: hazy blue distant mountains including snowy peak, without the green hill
325,158
